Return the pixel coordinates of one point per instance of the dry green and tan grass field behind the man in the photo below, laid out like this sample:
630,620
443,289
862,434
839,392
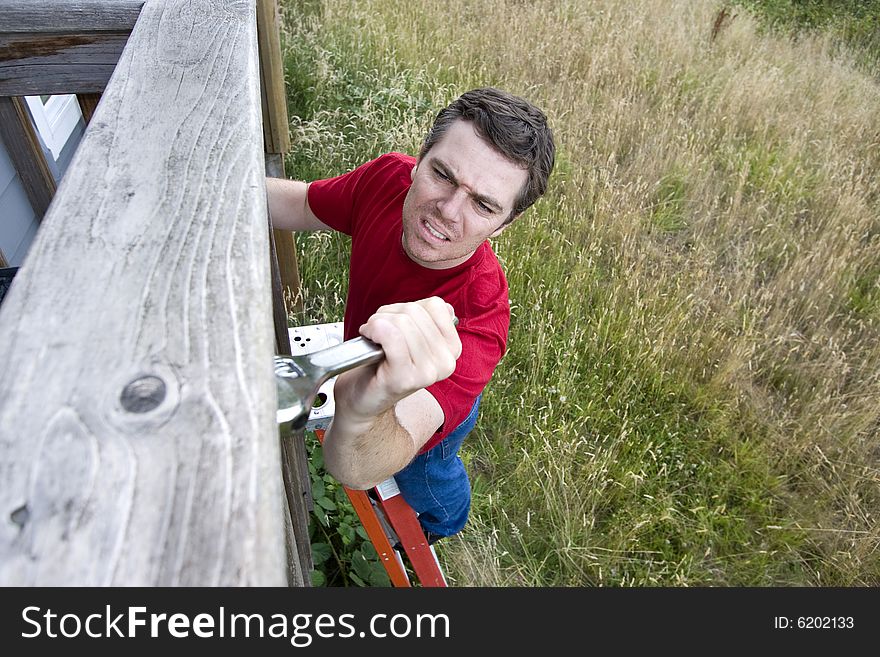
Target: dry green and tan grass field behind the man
691,394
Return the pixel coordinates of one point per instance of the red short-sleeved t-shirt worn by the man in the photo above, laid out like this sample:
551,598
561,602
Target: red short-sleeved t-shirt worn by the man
367,204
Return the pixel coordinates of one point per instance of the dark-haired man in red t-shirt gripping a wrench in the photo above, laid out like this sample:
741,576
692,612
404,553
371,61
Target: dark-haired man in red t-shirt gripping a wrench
420,257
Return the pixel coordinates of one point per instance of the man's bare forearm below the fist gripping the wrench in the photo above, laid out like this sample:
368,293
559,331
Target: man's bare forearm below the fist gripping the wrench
364,452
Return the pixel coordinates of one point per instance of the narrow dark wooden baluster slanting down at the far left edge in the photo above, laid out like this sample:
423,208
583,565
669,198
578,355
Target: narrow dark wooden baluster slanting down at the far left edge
18,134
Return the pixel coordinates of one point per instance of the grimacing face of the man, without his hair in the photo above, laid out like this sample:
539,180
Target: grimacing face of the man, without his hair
463,190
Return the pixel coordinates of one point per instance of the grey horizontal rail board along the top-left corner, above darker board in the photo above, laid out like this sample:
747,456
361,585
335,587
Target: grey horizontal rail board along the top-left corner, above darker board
31,16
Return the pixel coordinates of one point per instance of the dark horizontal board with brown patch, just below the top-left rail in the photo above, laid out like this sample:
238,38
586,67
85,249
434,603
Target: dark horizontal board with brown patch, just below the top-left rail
58,63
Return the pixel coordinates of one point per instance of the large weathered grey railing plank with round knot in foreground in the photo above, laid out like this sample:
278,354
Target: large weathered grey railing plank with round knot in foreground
138,443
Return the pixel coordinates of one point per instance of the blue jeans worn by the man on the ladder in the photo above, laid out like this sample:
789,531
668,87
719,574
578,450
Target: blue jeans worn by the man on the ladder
436,484
